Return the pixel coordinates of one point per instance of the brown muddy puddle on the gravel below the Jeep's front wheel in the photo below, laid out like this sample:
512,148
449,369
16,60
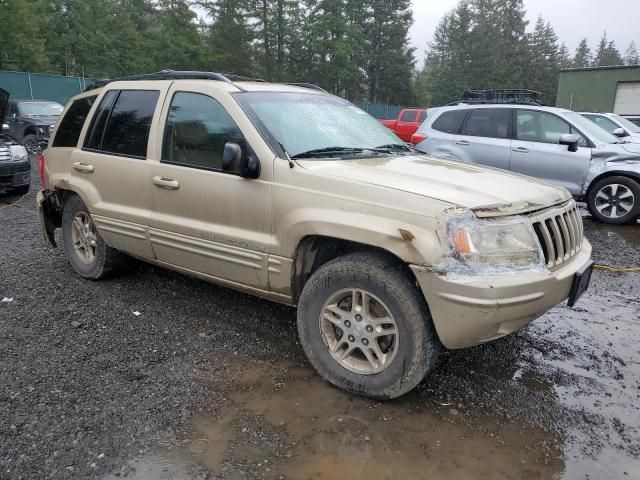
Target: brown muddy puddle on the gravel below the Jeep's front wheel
284,422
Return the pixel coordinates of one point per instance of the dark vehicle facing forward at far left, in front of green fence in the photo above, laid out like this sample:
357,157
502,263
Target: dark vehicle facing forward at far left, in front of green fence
31,121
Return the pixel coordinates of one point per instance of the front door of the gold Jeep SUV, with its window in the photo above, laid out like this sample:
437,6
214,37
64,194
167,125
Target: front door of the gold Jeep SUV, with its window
204,219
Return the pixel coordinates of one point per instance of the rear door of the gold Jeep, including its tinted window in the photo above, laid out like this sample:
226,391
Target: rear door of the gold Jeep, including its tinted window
111,171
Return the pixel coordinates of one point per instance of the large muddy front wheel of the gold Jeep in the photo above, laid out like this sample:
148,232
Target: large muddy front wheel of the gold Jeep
365,327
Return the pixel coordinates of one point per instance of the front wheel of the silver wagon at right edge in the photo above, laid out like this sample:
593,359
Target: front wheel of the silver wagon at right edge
614,200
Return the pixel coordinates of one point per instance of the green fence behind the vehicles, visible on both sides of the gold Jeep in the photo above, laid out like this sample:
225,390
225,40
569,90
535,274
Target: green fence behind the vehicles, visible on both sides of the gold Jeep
60,89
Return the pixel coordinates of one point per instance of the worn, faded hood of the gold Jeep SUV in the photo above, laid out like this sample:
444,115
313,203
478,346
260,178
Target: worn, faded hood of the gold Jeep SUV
487,191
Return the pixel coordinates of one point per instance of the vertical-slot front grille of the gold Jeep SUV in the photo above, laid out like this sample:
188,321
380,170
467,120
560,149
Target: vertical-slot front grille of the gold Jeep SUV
560,233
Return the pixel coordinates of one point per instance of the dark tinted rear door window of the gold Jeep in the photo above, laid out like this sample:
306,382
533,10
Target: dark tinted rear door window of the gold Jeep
122,123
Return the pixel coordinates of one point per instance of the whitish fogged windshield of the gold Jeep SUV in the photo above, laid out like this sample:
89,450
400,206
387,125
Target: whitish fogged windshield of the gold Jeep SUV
308,125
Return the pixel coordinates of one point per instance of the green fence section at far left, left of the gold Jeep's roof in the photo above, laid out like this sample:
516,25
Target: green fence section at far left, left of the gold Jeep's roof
42,86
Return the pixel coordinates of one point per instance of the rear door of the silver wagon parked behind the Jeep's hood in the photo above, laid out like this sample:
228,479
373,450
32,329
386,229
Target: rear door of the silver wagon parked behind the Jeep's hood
485,138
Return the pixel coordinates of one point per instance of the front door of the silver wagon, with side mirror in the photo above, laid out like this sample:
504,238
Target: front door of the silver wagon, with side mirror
536,152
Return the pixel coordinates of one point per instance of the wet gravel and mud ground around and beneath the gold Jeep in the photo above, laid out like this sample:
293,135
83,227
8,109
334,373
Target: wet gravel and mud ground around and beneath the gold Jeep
210,383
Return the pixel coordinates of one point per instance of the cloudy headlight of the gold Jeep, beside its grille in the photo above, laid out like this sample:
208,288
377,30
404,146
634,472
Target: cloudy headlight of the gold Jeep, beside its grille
496,244
